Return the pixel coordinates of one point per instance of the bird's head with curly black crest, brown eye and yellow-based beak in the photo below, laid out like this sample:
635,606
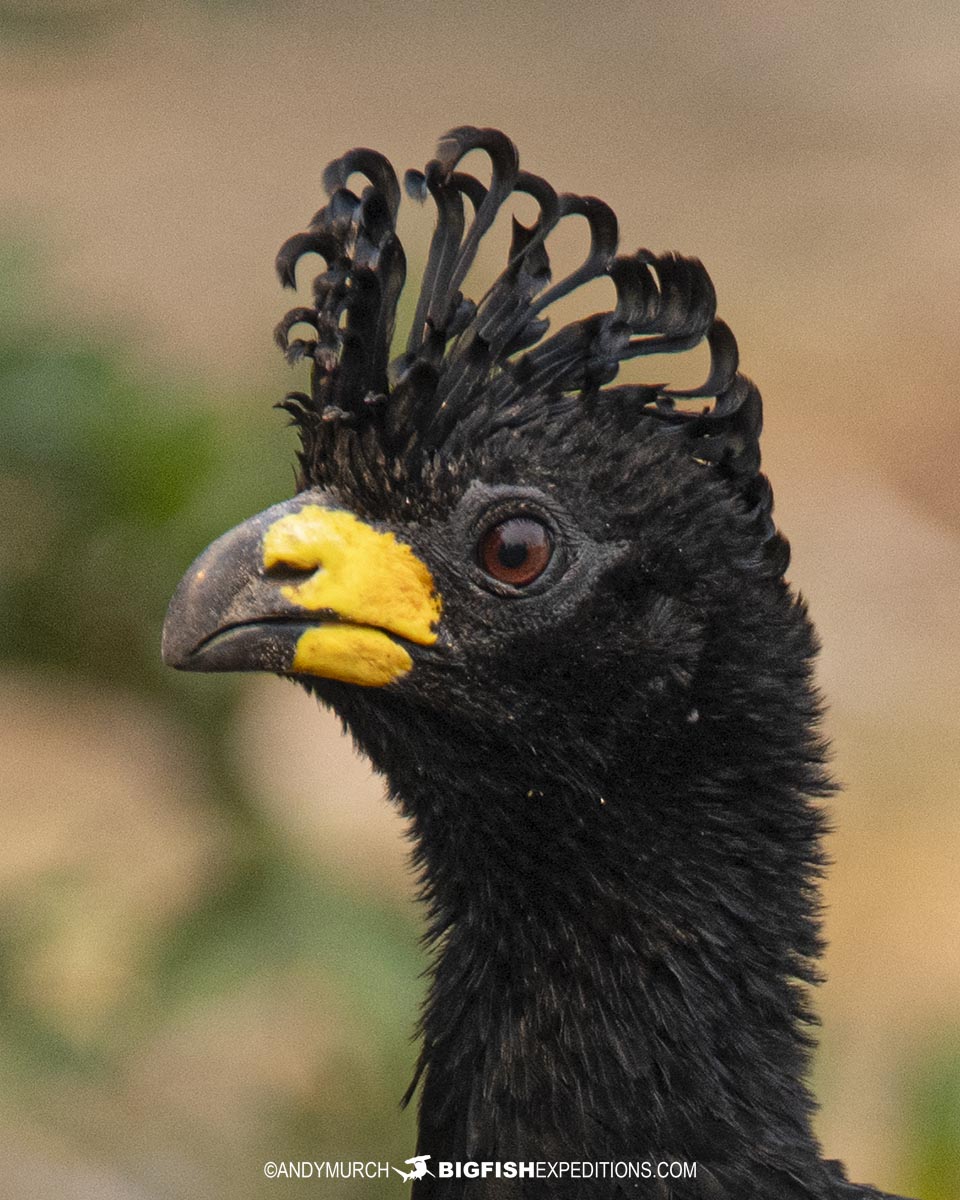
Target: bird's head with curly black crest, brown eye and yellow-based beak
491,538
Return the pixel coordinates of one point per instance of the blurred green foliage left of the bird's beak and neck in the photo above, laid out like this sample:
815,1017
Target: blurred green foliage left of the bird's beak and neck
111,483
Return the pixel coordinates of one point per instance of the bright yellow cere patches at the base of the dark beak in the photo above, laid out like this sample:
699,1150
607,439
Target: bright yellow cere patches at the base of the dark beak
369,579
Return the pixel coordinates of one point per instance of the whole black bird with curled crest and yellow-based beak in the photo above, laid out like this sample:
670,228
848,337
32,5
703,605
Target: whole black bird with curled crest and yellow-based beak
553,613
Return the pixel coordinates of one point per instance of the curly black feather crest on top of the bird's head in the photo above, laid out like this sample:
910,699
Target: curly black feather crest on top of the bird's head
471,367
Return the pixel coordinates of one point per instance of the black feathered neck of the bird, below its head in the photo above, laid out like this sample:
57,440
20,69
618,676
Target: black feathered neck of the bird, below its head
622,964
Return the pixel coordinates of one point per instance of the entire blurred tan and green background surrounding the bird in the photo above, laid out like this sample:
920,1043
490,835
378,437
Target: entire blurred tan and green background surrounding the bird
208,944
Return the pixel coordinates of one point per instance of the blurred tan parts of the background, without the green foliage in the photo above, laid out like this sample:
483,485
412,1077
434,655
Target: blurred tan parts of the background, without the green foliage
811,155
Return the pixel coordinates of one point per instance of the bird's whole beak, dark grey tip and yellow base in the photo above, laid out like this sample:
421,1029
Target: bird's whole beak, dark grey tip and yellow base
307,590
